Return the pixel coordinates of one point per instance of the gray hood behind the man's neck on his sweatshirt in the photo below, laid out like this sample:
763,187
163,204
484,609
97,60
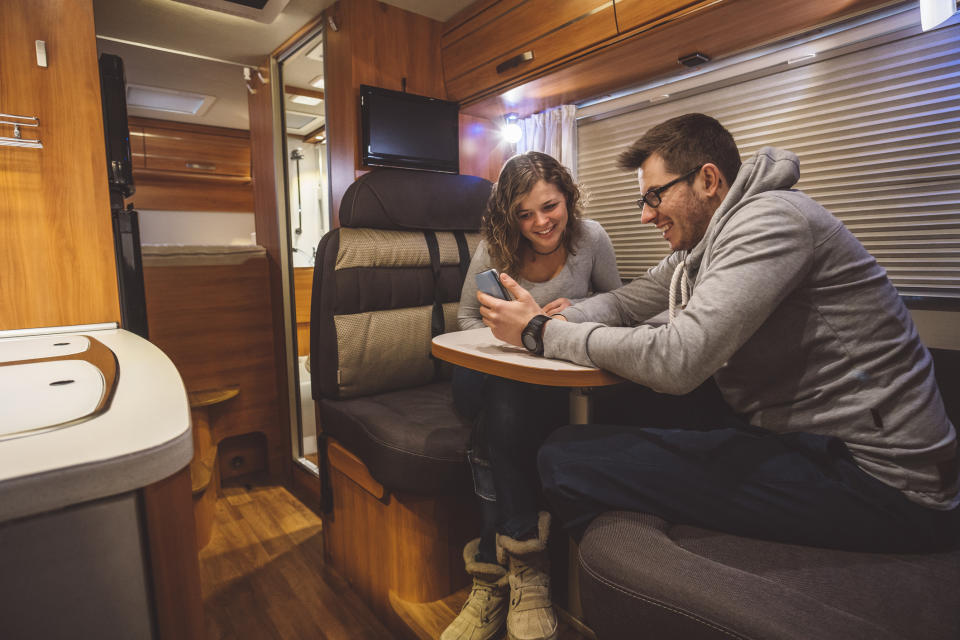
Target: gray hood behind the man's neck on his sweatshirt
769,169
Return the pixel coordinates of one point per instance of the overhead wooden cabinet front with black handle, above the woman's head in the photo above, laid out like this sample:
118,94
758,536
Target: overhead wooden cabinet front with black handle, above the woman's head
563,28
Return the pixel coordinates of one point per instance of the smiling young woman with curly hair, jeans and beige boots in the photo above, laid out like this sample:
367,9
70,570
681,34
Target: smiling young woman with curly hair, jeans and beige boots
532,231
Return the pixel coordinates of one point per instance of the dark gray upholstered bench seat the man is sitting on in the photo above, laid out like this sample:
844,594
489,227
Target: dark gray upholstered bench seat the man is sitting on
642,577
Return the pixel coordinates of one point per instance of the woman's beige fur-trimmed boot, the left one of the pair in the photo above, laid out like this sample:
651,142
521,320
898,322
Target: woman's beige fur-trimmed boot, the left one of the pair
483,614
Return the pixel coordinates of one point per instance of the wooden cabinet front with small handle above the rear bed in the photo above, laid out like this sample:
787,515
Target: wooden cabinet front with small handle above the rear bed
191,152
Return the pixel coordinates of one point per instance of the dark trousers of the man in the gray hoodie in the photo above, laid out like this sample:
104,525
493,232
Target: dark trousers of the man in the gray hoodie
800,488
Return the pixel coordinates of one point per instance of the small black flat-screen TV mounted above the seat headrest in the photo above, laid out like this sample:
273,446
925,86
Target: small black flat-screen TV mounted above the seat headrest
409,131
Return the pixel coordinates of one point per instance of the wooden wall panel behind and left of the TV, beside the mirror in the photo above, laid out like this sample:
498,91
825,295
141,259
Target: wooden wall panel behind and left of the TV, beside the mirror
380,45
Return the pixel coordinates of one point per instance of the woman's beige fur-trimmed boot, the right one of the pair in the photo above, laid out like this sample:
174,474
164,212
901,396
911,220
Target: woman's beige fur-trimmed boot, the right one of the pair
531,615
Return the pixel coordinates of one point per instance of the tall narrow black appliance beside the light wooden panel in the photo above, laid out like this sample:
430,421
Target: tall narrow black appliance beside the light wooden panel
126,225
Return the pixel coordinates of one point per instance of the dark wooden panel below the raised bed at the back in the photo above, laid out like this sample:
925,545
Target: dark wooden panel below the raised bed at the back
213,323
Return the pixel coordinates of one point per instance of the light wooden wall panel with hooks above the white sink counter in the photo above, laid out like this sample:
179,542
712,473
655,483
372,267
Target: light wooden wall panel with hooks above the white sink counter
57,264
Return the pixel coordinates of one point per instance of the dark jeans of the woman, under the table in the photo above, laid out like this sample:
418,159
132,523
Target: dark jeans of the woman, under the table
511,420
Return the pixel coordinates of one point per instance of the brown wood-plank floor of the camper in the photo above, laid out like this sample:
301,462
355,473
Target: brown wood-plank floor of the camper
263,578
